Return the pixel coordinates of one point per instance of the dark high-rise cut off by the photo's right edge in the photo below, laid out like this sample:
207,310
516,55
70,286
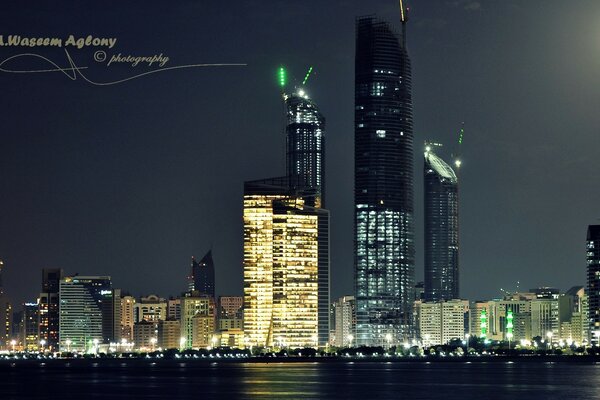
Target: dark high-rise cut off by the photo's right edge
593,281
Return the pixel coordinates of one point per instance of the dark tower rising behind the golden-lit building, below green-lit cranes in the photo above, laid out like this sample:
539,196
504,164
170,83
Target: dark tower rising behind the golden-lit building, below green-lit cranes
305,139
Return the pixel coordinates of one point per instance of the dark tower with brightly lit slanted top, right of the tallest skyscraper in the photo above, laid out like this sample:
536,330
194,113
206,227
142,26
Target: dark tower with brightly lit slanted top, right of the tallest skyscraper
441,229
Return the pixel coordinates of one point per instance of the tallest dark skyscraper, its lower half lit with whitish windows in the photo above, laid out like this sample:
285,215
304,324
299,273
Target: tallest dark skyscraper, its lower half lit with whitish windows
383,190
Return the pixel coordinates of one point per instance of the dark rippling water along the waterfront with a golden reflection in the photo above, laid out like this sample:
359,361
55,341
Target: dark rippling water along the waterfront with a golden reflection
173,379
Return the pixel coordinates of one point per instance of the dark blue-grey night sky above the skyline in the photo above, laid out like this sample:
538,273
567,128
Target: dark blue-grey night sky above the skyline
131,180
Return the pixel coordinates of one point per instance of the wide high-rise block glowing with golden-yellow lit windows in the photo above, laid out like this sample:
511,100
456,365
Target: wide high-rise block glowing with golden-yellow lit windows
281,266
